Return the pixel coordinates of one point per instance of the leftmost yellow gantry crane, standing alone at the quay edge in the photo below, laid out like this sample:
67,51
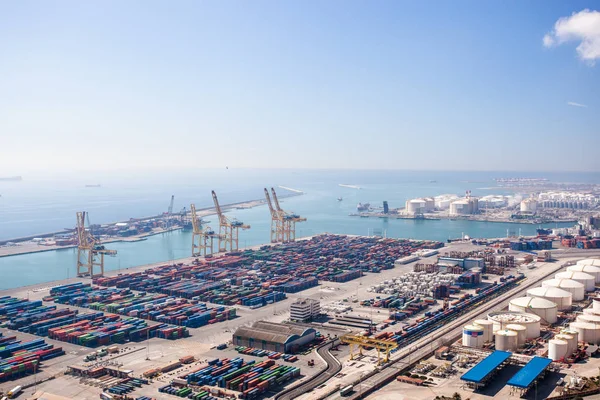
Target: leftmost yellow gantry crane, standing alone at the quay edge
90,251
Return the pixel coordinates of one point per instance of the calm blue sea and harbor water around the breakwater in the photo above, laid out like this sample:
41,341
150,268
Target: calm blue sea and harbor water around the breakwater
42,205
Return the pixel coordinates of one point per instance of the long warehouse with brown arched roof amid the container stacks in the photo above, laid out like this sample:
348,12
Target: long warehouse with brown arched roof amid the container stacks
273,336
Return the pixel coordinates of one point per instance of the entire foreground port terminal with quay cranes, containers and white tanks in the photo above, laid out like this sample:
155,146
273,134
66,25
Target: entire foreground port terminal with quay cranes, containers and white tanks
323,317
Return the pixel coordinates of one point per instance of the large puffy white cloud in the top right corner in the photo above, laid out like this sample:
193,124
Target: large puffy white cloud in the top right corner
583,27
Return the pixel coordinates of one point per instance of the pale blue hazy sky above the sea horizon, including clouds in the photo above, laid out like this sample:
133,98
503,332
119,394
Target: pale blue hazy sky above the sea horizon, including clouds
422,85
